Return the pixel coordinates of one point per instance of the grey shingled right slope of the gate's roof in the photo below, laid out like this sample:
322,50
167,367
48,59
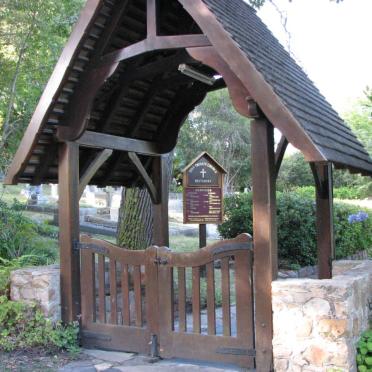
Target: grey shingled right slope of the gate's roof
328,131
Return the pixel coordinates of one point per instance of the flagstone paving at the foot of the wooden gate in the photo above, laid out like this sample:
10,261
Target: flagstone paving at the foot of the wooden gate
108,361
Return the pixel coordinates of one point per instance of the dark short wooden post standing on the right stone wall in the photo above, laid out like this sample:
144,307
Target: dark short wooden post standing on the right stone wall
324,218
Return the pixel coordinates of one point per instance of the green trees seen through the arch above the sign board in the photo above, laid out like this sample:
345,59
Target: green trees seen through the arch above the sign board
217,128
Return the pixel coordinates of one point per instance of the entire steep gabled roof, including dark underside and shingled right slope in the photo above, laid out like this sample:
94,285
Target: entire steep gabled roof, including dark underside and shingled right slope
143,96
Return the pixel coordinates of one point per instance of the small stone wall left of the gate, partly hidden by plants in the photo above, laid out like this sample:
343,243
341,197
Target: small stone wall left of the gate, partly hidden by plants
38,284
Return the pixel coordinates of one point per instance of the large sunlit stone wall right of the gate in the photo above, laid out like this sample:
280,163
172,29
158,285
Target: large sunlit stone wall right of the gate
318,322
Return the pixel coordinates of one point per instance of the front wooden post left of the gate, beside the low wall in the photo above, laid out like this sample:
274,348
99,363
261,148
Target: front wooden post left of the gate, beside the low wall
68,176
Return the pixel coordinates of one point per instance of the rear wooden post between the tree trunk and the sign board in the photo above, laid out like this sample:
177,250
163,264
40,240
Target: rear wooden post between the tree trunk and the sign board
160,211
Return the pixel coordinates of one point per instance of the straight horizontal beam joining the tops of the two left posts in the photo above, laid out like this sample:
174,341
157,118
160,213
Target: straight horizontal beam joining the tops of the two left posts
108,141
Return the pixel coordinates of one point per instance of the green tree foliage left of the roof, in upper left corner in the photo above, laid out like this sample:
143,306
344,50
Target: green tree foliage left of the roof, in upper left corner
32,34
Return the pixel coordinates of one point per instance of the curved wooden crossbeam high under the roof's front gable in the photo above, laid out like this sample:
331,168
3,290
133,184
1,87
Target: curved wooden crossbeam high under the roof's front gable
152,44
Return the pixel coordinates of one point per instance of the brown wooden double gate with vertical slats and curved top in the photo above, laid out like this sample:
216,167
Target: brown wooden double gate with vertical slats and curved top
195,305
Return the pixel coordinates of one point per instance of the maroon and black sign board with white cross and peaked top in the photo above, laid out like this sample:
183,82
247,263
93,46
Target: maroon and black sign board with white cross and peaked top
202,191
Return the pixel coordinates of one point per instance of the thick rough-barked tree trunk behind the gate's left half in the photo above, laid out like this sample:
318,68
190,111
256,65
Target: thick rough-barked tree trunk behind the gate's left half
135,225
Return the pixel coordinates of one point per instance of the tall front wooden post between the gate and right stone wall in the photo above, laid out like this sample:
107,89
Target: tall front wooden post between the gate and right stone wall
264,237
